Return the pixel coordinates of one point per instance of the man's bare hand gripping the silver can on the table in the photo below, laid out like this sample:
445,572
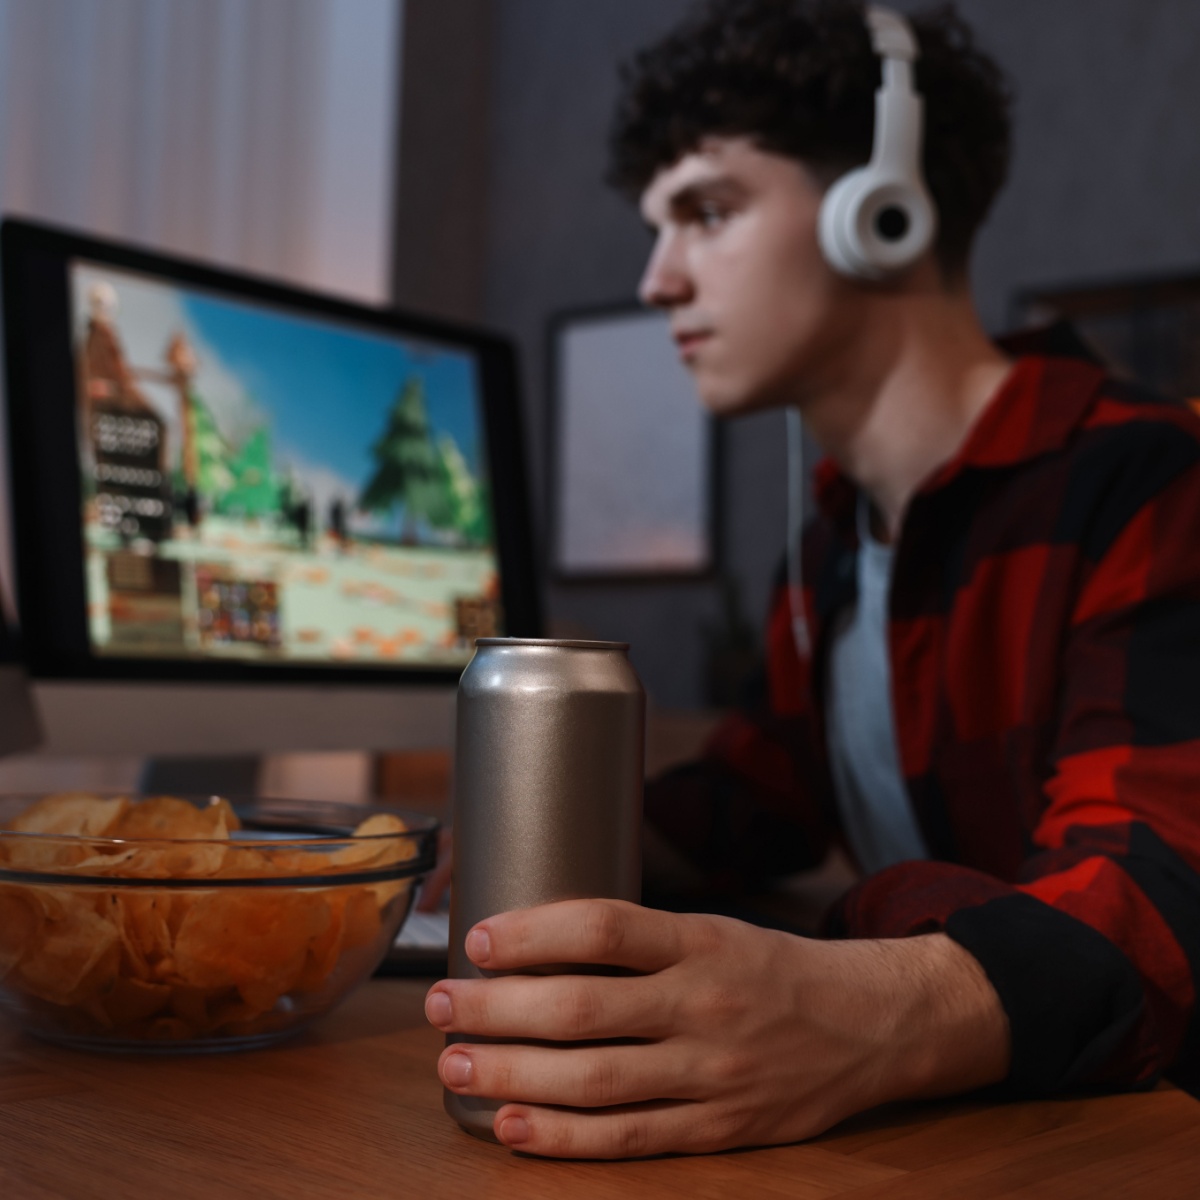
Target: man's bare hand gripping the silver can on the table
729,1036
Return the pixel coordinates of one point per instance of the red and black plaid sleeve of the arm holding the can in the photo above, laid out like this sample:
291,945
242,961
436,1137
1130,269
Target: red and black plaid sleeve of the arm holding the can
1094,941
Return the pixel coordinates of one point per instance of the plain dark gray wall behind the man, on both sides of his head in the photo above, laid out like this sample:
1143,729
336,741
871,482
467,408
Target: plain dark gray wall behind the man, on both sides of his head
1107,182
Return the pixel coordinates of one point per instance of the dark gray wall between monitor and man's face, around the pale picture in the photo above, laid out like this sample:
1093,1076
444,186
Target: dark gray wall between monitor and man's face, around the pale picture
560,239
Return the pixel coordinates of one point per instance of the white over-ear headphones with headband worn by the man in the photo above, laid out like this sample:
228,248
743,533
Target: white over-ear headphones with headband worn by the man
880,219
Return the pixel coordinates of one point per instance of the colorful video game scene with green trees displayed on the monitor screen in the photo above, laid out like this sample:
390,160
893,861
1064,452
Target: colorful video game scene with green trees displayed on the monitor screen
261,487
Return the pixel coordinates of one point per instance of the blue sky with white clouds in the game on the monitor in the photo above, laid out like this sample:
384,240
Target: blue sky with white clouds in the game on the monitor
323,389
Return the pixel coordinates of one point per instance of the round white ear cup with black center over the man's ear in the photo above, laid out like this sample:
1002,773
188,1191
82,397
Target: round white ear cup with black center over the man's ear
873,226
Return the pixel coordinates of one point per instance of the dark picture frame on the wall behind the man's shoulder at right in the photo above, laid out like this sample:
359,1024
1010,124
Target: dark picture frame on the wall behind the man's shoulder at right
1143,328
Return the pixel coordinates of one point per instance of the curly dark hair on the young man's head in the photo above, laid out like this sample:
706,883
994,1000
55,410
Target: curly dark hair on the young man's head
800,79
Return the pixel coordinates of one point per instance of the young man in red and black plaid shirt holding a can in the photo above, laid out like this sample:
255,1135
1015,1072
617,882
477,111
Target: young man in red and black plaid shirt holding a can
1001,711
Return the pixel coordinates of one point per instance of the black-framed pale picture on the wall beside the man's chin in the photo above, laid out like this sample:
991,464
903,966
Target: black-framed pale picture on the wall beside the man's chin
633,453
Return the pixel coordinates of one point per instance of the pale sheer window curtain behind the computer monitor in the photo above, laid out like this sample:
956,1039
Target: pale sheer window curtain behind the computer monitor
259,135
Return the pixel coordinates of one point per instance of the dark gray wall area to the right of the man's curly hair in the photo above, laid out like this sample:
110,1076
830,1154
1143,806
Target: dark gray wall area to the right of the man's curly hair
1107,175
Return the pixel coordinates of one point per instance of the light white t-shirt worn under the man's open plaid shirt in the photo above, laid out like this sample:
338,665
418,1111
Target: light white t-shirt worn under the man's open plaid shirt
861,734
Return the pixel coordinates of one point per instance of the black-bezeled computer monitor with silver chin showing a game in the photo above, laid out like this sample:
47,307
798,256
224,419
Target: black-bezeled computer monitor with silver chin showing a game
249,518
